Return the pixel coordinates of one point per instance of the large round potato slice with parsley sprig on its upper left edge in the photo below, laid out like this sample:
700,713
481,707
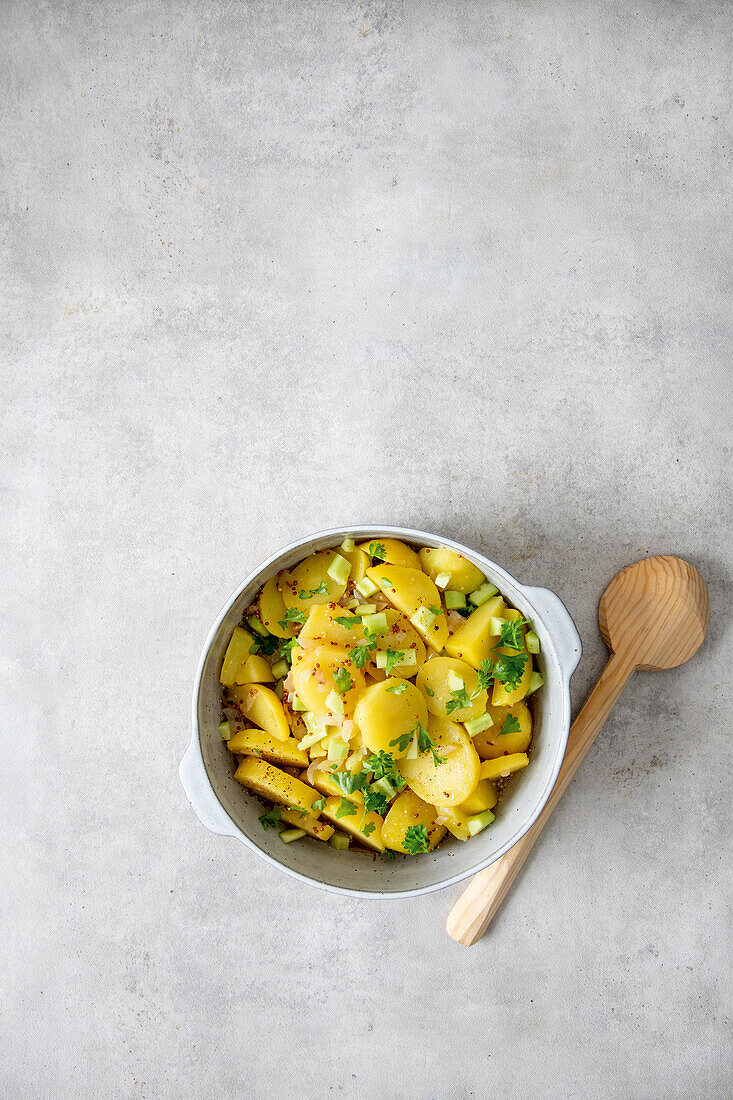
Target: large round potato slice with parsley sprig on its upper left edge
452,783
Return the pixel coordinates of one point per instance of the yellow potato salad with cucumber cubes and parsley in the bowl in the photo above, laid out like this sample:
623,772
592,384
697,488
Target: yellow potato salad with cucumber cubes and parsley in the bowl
377,695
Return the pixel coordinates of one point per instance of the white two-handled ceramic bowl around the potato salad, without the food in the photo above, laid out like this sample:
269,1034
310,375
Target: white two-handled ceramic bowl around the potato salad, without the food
227,809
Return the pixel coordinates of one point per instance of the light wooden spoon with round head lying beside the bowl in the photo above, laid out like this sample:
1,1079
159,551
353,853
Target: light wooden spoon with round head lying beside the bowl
653,615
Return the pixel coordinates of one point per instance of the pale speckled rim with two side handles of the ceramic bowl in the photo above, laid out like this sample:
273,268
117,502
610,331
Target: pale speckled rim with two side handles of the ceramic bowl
545,608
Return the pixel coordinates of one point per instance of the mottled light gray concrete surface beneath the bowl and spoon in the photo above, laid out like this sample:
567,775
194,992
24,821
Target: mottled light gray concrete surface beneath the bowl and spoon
272,267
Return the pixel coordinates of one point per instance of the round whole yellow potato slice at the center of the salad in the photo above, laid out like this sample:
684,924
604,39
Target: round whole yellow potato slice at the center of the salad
386,719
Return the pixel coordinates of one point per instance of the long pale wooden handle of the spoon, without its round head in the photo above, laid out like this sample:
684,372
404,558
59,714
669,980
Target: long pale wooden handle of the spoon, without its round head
474,911
